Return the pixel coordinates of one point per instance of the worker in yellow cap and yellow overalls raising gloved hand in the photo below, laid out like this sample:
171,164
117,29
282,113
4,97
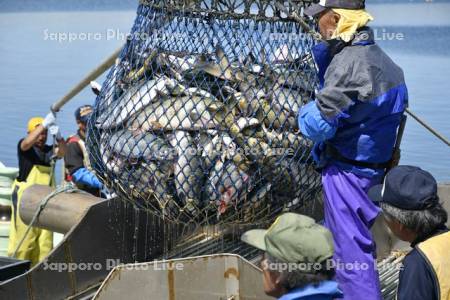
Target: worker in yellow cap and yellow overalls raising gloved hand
34,168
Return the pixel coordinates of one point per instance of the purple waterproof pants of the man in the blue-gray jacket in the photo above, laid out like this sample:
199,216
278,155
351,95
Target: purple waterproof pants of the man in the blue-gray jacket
349,214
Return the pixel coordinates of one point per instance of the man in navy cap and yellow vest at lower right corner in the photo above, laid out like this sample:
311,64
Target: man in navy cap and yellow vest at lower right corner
413,212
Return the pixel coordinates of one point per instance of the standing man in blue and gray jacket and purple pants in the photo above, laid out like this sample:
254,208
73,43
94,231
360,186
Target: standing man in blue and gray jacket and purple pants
353,121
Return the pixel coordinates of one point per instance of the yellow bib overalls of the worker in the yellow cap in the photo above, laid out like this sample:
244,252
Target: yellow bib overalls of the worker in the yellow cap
38,242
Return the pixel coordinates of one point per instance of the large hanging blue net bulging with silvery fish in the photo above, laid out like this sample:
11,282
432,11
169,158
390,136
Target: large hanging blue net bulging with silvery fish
197,120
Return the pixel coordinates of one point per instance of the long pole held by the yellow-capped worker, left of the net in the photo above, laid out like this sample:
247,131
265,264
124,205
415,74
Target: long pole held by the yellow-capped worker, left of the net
83,83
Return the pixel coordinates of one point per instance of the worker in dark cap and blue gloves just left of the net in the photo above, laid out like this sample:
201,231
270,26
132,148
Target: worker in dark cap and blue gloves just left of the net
77,159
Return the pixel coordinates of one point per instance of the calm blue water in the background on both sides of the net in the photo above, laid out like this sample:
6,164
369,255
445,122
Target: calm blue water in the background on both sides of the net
36,70
